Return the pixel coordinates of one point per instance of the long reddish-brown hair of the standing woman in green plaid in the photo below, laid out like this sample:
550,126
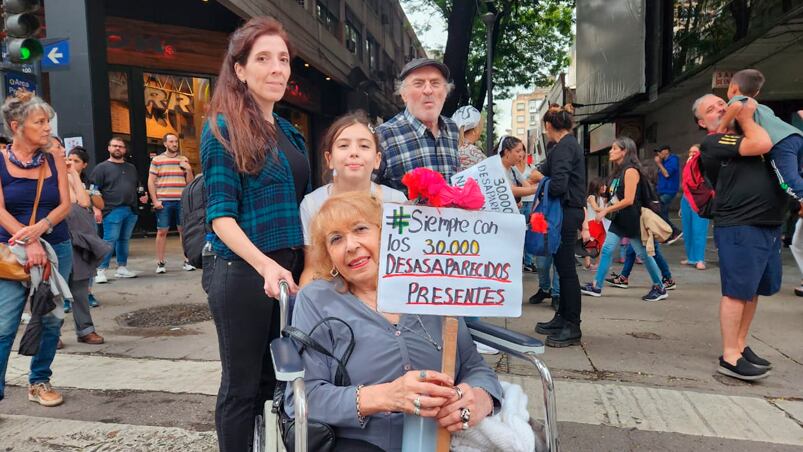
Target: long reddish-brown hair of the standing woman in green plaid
249,137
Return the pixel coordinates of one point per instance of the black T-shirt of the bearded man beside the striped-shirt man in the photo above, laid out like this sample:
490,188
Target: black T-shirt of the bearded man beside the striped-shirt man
117,183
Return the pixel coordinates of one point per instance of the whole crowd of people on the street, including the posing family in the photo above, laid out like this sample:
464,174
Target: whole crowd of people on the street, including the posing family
269,226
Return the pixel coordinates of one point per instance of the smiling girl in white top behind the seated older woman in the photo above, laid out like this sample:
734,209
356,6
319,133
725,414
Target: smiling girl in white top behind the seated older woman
351,152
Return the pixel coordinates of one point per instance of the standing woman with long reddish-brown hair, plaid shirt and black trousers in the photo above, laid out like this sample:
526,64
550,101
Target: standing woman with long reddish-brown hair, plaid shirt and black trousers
256,172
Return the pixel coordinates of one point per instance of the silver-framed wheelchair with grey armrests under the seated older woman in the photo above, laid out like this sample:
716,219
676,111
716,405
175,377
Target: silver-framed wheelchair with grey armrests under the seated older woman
289,368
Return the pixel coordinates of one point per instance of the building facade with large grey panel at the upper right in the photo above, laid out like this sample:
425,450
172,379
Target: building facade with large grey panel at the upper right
641,65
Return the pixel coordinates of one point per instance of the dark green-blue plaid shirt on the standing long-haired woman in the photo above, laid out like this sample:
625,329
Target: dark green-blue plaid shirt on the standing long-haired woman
263,205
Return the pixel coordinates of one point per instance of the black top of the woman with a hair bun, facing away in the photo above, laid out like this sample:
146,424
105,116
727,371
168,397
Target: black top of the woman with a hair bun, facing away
565,164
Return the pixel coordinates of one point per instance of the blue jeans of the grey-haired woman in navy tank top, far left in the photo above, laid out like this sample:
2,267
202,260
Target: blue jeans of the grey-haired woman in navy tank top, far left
12,301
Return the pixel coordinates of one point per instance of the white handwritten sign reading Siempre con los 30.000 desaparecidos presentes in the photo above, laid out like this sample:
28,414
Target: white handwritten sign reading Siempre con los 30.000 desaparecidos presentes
451,262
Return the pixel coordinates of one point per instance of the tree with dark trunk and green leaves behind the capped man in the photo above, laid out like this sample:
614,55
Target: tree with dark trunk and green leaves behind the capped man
531,41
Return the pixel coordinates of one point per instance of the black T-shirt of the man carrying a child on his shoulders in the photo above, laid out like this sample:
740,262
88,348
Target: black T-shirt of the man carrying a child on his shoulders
747,194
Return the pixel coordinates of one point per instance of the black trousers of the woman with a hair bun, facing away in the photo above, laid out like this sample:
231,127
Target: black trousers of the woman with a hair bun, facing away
569,308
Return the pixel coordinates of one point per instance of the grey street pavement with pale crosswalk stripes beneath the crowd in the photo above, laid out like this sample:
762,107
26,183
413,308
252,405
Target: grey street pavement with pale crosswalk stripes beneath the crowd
644,369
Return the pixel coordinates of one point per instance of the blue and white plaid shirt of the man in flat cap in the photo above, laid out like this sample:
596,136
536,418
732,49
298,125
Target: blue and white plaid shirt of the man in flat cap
408,144
